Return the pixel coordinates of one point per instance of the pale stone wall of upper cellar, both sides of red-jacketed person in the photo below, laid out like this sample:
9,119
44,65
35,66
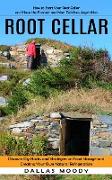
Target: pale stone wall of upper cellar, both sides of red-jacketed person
49,54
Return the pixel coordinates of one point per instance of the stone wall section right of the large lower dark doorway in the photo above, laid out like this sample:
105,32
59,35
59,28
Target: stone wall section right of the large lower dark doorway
101,135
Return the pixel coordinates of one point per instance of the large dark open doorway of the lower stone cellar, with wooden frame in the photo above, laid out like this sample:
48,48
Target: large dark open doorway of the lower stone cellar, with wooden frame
75,136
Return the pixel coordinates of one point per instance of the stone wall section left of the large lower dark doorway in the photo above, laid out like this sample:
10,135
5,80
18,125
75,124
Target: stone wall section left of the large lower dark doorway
42,125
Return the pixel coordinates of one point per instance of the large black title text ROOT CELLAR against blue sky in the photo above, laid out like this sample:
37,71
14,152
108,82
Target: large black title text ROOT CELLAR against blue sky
63,26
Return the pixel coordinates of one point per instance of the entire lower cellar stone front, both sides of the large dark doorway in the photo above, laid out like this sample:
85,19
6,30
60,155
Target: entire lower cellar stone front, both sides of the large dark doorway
49,126
